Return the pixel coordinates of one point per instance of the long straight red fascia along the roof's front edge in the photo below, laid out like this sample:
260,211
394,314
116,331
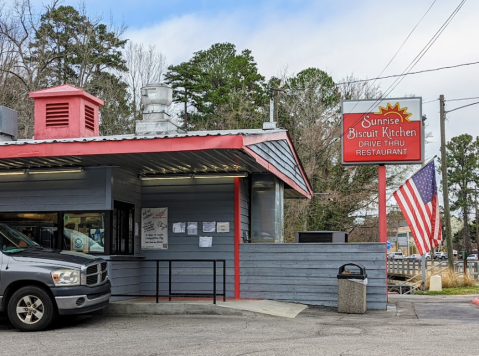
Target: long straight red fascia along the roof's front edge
58,149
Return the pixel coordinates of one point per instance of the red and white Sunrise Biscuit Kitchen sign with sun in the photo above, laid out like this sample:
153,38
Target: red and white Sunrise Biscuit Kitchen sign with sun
386,131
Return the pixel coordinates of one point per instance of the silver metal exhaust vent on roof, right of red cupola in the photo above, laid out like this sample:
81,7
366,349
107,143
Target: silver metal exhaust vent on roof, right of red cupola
156,98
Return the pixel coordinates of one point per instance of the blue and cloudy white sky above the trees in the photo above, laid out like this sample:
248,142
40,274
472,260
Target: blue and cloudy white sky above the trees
341,37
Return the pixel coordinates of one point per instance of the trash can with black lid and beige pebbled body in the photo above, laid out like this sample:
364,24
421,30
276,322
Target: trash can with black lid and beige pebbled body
352,282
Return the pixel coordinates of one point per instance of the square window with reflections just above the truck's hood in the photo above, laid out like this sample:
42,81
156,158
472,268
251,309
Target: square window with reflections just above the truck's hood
84,232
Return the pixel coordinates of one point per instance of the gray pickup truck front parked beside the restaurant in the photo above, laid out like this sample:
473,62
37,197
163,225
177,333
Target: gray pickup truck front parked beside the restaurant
37,284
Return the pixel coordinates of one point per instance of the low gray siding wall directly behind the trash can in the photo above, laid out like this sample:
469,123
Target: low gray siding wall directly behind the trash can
307,273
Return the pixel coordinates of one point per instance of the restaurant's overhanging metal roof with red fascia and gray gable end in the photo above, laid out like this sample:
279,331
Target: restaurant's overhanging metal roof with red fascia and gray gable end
164,155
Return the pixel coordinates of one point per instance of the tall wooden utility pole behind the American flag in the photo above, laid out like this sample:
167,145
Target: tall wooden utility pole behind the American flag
445,188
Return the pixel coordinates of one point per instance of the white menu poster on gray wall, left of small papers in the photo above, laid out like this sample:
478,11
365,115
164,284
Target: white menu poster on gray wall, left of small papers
154,228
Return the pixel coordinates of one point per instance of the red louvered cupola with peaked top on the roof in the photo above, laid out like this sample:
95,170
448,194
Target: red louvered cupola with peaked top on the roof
65,111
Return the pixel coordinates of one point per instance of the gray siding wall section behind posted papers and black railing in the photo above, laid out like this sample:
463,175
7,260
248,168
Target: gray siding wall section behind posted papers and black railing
196,200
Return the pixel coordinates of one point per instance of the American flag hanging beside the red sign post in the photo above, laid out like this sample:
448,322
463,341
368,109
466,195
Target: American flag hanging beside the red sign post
418,201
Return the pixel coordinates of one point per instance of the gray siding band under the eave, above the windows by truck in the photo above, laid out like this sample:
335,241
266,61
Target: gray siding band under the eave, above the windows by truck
52,192
